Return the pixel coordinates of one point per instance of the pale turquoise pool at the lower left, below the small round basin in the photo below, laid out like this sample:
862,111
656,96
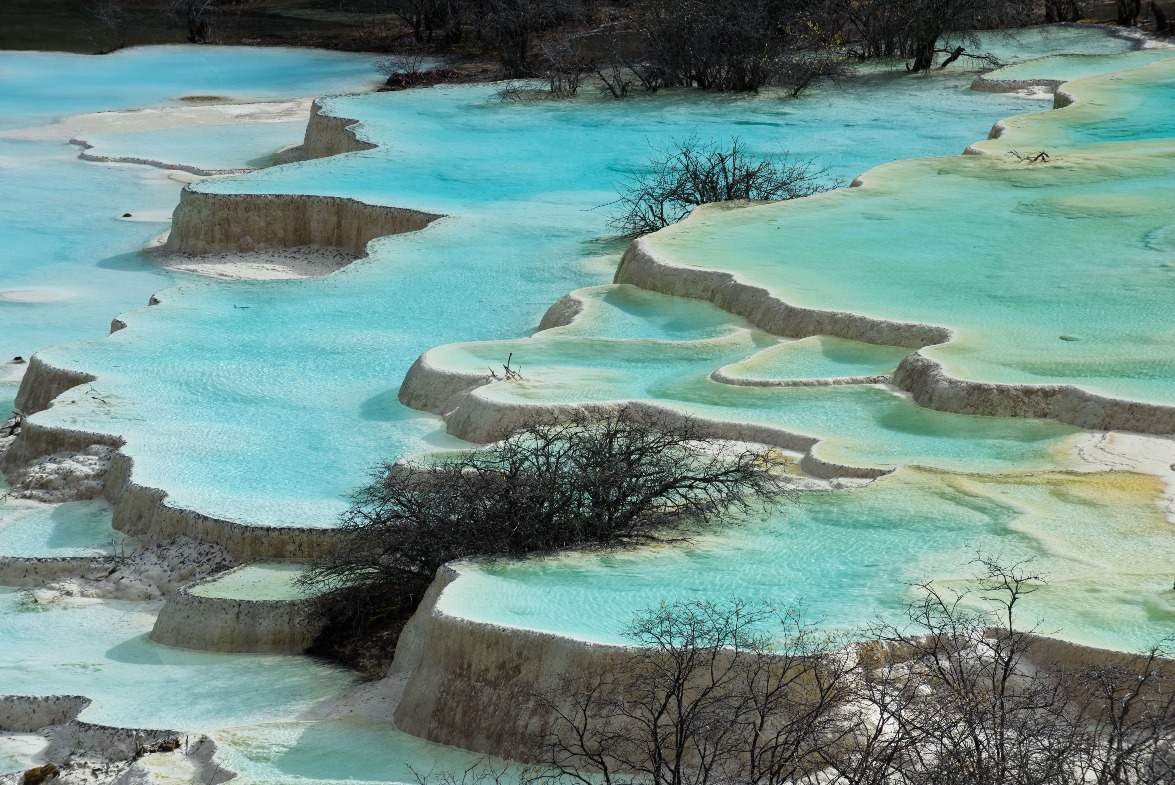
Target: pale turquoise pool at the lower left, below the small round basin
100,649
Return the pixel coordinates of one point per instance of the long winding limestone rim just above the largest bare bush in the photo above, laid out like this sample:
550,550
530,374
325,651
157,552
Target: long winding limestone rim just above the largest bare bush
481,419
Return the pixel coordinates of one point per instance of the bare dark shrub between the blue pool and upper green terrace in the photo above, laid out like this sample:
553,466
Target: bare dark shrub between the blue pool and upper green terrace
691,173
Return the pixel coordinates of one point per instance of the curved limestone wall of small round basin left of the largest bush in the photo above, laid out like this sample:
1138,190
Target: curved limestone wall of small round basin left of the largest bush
234,625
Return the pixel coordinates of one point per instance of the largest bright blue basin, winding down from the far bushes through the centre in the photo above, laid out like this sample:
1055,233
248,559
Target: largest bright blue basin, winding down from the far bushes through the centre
266,404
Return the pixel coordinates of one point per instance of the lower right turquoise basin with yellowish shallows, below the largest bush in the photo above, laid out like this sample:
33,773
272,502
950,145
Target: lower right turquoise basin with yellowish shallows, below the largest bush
849,558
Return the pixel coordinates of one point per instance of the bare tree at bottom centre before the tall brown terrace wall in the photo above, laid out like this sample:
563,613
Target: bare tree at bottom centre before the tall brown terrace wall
714,695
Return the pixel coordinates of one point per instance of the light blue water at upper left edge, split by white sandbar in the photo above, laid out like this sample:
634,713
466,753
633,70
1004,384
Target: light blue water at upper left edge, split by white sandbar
71,260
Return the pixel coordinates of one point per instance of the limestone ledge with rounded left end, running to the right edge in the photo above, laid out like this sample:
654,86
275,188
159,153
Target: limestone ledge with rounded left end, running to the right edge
932,387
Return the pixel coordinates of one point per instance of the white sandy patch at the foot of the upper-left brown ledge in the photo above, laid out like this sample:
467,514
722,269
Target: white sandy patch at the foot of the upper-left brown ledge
258,266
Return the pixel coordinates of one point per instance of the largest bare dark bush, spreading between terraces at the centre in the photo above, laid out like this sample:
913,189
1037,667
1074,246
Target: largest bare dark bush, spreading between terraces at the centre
614,480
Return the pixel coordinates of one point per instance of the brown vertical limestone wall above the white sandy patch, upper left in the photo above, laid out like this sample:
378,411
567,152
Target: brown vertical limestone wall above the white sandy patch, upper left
227,224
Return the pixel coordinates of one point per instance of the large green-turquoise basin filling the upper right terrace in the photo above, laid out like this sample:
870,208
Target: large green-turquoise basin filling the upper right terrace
1049,273
